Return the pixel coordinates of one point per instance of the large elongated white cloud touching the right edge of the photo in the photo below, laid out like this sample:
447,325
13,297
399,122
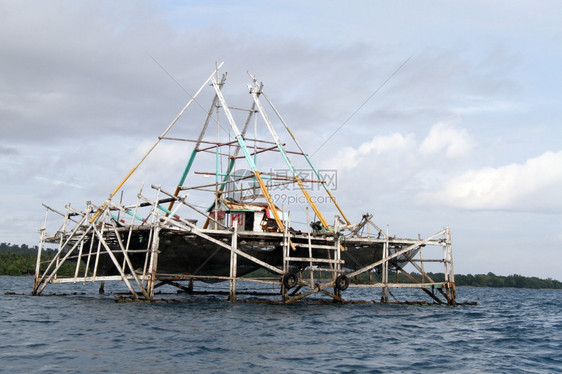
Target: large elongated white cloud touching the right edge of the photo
535,185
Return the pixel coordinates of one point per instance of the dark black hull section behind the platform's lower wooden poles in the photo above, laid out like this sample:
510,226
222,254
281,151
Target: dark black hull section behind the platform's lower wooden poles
182,253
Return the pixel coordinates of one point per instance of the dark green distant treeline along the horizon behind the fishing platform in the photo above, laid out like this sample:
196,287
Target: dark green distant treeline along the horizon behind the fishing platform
20,260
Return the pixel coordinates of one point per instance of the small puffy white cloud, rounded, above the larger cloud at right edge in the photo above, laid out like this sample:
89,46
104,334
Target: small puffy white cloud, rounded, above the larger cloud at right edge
445,135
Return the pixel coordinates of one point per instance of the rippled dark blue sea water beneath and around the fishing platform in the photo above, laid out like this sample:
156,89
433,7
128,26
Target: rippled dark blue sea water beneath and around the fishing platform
509,331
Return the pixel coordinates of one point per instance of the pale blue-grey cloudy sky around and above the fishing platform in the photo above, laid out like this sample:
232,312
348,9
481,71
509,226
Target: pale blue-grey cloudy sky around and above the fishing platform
432,114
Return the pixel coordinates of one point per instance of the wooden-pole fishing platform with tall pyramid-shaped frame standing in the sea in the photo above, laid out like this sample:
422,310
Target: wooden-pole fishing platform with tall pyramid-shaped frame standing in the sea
225,221
